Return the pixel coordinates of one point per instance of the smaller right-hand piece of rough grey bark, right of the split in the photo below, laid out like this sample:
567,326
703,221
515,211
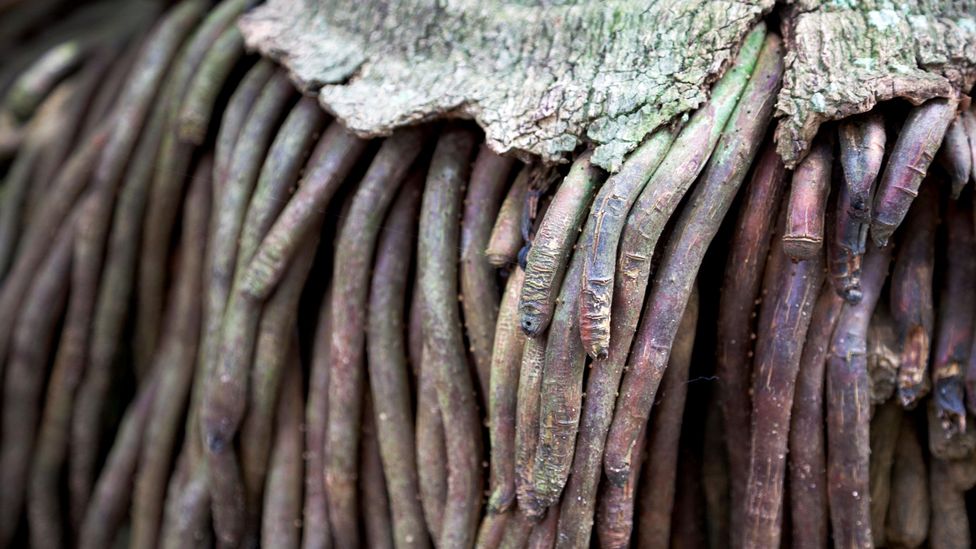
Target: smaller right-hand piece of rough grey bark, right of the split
845,56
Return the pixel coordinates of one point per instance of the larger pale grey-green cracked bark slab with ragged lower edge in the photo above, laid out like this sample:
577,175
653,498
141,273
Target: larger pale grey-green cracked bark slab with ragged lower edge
540,76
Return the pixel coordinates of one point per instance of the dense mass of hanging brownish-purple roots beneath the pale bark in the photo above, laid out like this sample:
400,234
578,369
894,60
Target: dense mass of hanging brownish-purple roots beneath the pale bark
227,320
